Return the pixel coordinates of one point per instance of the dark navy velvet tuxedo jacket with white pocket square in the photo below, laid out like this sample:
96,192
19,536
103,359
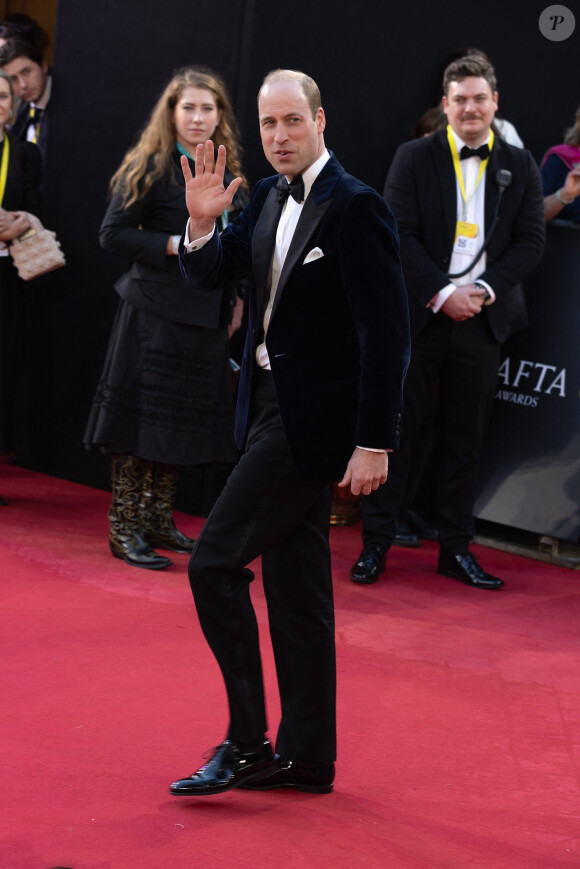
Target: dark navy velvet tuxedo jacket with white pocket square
338,339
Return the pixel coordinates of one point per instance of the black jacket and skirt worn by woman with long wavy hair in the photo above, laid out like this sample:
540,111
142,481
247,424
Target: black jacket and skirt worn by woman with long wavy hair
165,393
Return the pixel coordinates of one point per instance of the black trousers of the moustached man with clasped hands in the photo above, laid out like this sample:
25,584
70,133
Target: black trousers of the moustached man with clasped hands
453,367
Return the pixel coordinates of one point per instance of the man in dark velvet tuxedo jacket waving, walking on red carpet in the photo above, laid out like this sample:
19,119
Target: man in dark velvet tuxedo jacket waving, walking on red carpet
319,399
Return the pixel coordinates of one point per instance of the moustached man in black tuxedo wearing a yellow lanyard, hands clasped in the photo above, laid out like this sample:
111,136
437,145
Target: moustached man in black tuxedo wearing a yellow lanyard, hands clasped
449,192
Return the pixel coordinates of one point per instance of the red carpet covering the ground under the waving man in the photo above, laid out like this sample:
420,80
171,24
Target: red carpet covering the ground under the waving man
459,711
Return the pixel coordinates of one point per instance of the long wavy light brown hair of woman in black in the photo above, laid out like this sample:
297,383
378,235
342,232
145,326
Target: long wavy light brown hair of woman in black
152,155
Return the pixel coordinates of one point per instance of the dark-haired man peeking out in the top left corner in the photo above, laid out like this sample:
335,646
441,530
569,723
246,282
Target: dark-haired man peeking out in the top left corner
32,83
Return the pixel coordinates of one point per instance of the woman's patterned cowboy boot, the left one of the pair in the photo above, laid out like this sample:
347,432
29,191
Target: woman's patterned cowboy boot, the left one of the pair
127,540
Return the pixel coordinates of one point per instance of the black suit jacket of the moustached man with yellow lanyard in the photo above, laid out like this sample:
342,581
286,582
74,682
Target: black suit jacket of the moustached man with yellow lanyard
421,190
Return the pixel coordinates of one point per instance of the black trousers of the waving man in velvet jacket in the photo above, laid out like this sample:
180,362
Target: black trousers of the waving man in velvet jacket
266,509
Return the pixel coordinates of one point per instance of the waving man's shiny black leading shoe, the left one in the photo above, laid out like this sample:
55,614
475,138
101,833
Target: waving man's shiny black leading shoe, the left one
227,768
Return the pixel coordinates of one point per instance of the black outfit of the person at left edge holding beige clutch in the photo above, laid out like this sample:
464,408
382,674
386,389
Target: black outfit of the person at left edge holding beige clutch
22,193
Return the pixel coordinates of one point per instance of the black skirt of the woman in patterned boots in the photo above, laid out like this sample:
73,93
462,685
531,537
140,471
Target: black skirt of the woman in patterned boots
165,393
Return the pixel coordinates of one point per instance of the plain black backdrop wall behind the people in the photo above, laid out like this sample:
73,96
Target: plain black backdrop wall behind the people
379,67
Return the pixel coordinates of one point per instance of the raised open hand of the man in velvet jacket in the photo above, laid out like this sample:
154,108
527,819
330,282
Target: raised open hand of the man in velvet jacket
205,195
